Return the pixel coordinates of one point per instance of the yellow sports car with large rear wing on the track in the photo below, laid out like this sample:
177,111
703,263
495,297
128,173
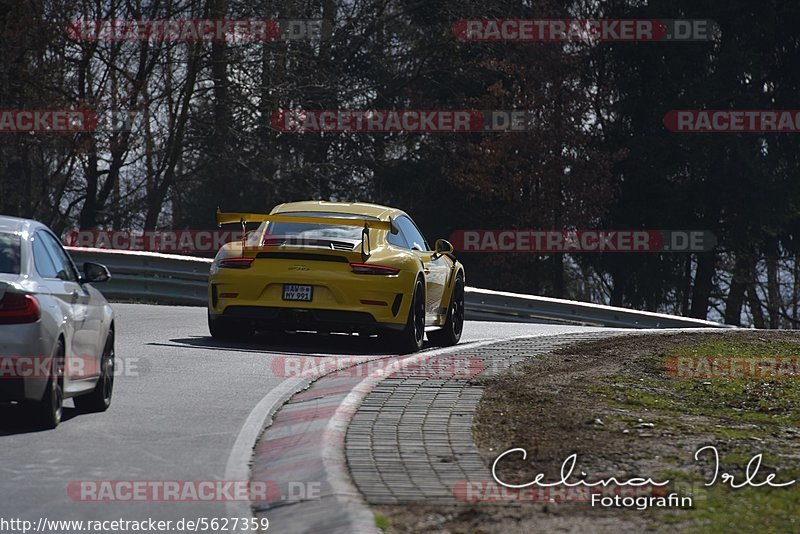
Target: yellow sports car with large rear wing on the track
336,267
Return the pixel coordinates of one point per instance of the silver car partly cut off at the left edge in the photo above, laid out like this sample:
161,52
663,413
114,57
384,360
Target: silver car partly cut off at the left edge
56,330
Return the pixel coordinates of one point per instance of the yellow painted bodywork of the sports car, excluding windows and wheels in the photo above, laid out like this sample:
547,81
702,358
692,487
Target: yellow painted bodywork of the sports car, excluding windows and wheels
341,299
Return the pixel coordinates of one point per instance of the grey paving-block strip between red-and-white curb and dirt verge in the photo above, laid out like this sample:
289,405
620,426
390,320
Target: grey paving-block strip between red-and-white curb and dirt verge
411,439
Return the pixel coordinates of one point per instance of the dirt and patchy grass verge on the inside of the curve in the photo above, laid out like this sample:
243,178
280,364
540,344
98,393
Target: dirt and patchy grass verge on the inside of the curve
615,405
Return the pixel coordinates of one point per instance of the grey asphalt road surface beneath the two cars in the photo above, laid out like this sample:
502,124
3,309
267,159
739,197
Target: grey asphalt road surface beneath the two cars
179,403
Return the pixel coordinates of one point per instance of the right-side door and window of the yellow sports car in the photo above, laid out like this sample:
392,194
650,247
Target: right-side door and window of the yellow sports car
435,267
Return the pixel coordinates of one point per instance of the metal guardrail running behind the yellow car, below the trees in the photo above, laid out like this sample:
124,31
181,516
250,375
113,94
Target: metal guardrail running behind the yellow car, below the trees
172,279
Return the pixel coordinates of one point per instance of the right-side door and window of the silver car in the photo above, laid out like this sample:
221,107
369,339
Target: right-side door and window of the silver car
83,360
